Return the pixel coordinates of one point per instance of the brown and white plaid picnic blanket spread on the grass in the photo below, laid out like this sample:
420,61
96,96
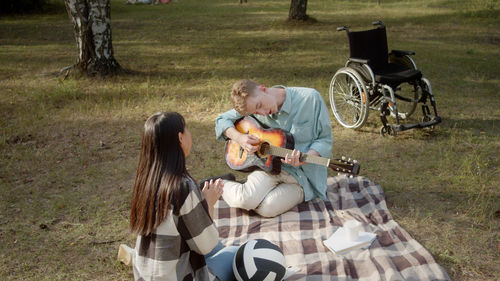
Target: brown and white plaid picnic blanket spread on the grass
300,232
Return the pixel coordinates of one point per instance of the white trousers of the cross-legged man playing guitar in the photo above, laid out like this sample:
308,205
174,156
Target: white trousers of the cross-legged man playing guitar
268,195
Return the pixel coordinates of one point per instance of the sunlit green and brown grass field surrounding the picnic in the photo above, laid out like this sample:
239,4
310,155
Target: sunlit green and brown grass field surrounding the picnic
69,147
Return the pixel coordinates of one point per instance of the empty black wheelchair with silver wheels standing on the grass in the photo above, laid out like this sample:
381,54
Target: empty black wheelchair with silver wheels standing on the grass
374,79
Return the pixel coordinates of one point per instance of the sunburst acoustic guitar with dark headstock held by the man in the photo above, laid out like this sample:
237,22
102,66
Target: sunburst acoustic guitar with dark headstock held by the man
274,145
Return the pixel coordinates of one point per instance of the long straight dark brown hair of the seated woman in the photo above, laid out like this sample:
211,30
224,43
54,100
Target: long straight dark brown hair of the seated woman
162,165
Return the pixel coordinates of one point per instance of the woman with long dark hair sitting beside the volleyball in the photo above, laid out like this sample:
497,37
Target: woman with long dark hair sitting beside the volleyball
177,238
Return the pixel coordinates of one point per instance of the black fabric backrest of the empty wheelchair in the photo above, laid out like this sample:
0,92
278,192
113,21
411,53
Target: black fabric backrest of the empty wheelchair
371,45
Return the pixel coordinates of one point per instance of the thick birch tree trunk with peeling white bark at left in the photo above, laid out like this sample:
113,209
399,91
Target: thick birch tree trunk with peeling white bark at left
92,27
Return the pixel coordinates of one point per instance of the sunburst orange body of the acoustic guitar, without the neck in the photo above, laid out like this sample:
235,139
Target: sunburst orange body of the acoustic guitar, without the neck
238,159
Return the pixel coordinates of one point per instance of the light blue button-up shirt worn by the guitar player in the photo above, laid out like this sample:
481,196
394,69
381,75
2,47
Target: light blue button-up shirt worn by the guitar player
304,114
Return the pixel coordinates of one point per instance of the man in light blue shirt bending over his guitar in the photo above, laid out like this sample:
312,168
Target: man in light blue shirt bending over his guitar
299,111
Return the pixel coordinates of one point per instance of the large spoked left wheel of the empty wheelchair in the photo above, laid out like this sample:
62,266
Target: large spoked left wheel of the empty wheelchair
349,98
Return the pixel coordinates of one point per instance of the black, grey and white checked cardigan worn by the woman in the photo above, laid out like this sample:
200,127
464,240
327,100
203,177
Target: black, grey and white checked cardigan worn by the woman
176,249
